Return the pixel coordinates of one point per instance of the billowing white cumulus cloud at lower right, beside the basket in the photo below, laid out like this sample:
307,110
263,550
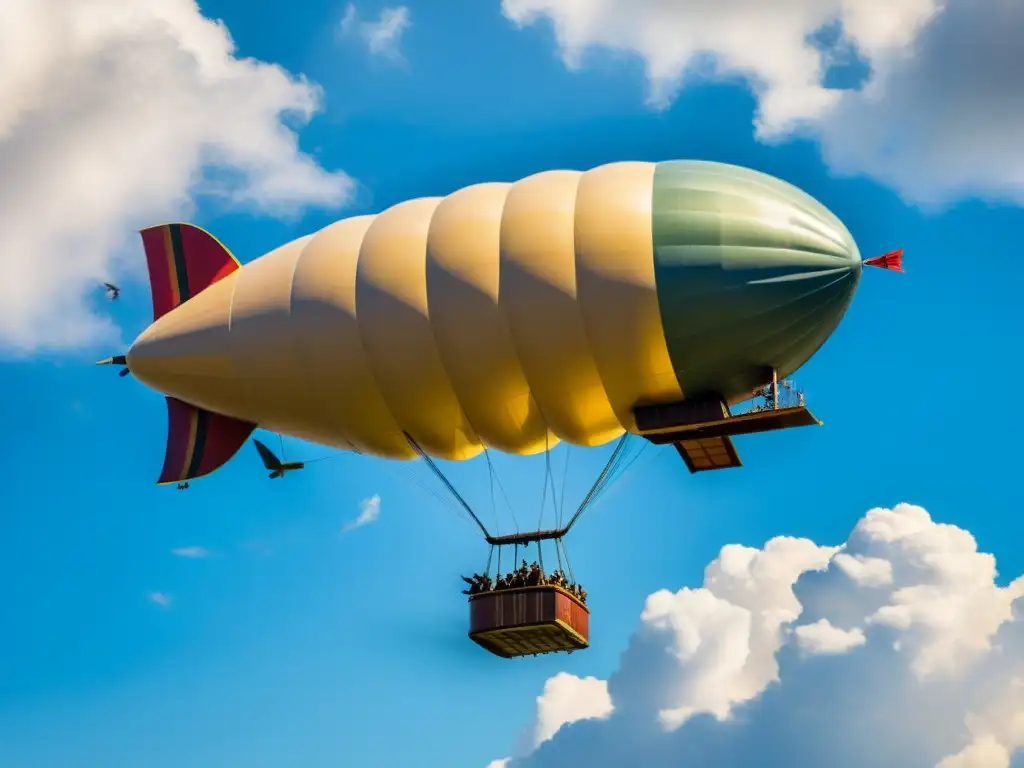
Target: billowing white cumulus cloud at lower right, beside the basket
792,656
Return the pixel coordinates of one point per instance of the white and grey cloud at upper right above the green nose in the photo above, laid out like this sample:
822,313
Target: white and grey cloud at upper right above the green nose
940,117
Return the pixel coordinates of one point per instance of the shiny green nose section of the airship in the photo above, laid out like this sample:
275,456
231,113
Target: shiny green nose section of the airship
752,275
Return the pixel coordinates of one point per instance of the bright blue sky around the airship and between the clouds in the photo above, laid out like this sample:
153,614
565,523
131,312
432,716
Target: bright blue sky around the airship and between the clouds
292,646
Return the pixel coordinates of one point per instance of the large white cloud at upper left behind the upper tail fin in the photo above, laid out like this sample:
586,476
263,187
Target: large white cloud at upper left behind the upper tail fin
113,113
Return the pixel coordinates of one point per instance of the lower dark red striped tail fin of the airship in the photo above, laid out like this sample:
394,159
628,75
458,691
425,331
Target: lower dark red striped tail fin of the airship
199,442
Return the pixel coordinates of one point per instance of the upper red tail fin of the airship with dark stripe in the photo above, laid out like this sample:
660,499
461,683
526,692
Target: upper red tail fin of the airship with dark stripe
184,261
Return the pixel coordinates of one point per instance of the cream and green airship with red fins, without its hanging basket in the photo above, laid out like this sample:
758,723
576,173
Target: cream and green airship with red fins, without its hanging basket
642,298
